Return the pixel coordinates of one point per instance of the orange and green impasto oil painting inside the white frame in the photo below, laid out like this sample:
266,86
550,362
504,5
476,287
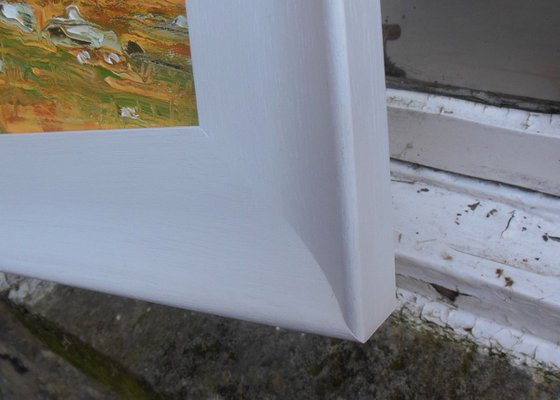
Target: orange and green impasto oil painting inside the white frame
94,64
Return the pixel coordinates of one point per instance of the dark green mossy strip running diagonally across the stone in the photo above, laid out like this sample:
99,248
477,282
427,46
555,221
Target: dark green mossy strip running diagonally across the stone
84,357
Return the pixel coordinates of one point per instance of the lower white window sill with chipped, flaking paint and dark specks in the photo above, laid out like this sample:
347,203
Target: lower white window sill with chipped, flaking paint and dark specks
496,246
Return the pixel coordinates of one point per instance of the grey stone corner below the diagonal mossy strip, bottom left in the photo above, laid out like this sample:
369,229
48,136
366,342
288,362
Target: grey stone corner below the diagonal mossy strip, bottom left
29,370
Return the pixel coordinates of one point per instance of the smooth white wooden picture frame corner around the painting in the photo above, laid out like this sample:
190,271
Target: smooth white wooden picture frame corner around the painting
276,209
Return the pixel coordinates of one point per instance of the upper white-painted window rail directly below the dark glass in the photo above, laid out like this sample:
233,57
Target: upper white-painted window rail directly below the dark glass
512,146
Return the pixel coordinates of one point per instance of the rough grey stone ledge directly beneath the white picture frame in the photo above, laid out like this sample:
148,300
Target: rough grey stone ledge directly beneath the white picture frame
180,354
